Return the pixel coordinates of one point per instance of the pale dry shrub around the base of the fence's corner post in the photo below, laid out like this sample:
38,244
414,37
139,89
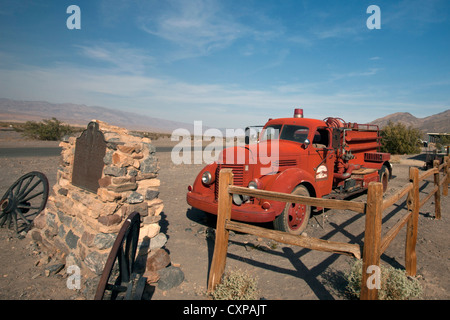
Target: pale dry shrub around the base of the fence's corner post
395,284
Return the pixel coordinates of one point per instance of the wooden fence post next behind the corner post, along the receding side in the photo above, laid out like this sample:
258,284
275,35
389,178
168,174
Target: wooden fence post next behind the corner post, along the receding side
411,228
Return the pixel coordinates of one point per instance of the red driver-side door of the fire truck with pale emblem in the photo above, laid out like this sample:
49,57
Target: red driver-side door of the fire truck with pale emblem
321,160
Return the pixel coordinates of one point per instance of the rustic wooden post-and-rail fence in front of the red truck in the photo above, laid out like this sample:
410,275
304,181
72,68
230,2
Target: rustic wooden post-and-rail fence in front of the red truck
374,244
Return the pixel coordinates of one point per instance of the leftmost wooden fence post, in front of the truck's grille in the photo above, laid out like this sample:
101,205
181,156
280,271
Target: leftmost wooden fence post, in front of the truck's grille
221,243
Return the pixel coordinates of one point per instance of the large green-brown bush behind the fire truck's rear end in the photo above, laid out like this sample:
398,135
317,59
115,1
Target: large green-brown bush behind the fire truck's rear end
398,139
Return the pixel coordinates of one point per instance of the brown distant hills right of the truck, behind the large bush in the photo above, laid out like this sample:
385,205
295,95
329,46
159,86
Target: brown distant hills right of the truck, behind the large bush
437,123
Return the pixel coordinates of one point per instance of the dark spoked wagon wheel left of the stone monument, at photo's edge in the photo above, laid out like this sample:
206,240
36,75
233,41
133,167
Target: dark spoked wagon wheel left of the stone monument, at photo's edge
24,200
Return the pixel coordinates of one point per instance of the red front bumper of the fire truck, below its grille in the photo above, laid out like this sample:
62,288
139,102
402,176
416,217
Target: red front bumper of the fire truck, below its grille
247,212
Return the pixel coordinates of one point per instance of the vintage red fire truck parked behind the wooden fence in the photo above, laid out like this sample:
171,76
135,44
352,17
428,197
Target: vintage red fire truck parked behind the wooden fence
327,158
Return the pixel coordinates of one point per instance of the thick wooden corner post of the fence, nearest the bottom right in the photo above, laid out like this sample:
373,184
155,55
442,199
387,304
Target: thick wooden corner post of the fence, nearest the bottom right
372,243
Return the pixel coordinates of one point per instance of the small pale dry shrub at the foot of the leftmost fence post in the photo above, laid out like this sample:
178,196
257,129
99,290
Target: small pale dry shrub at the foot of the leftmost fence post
236,285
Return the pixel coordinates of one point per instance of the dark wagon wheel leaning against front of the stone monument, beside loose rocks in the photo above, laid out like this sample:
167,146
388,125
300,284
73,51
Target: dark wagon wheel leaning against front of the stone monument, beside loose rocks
119,279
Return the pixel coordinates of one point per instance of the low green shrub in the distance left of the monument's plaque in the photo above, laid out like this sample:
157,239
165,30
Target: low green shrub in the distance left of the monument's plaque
48,129
